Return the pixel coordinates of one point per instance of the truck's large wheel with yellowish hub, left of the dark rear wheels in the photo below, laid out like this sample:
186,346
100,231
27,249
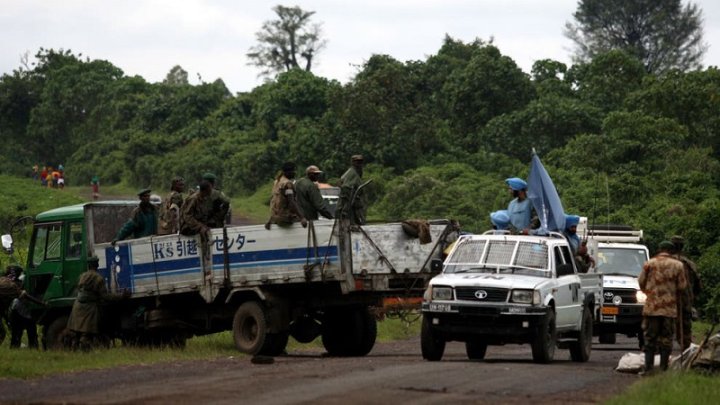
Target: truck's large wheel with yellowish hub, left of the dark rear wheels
250,330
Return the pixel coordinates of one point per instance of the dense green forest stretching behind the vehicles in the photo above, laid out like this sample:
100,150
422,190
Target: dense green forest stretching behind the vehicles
439,135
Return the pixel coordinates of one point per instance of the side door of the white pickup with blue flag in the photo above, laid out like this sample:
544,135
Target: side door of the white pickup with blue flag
567,301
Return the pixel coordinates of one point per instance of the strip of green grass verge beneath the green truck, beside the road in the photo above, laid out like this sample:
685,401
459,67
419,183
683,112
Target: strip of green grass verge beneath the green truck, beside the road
26,363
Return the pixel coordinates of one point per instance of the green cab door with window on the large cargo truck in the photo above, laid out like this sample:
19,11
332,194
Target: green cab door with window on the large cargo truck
45,262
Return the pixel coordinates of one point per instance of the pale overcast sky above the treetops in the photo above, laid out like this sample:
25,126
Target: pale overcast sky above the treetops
209,39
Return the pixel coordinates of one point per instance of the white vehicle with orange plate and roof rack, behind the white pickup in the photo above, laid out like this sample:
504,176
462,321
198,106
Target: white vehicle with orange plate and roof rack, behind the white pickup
619,256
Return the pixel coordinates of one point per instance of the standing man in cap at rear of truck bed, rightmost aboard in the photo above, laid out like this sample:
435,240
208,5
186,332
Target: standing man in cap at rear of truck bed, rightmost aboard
351,204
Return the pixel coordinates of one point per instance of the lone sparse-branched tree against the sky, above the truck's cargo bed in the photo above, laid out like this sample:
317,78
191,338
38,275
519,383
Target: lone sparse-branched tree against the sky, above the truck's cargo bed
282,42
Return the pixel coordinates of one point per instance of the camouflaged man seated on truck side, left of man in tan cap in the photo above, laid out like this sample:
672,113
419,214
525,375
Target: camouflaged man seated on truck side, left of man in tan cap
284,209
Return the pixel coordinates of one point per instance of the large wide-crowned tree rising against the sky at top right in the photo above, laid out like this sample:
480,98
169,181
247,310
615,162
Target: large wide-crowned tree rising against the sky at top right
663,34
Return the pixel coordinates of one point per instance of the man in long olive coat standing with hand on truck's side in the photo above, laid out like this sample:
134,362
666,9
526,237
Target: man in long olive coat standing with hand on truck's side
84,321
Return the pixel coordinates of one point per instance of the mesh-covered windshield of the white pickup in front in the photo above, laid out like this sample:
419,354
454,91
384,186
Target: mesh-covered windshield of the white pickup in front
499,256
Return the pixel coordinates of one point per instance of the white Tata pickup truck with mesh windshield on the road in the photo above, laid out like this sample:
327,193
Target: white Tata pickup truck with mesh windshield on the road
500,288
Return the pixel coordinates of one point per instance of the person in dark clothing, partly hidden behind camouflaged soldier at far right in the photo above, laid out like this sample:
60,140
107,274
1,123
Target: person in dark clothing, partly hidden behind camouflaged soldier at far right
687,298
